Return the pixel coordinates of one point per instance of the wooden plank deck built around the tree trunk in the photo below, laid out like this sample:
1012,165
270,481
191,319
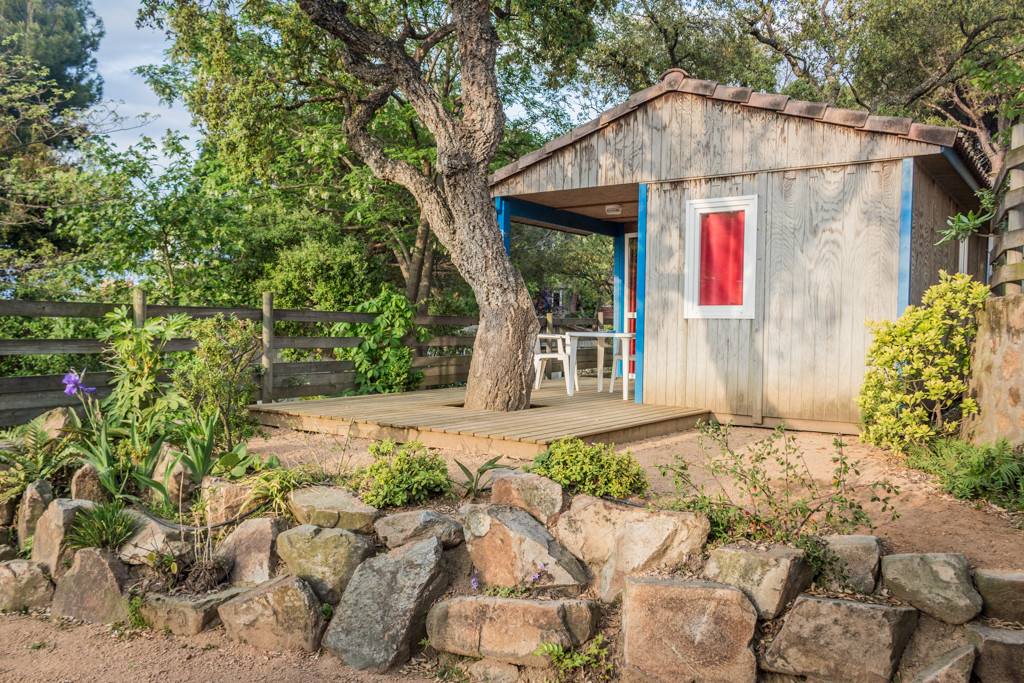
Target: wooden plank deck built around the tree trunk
436,418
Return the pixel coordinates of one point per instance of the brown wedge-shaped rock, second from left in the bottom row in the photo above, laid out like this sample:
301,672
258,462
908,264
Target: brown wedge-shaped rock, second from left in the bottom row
93,590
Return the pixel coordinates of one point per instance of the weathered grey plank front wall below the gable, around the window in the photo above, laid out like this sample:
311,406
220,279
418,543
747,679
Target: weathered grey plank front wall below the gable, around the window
828,261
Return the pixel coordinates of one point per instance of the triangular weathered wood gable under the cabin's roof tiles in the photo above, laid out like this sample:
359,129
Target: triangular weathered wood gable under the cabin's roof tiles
680,137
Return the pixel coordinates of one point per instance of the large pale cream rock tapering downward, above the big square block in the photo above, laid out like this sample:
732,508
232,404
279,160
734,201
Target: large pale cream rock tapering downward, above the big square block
618,540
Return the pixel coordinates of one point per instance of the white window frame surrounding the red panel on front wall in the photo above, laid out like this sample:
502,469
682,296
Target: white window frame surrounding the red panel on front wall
692,291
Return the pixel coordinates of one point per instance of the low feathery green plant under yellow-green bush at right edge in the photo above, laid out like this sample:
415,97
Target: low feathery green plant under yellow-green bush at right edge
994,473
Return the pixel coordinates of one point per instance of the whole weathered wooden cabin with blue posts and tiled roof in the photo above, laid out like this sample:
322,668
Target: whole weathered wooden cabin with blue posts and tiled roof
754,237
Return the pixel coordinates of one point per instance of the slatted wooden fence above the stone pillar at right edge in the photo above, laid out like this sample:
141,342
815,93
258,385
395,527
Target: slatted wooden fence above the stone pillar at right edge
1007,248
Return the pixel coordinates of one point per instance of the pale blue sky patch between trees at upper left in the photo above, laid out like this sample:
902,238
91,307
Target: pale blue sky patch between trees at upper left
123,49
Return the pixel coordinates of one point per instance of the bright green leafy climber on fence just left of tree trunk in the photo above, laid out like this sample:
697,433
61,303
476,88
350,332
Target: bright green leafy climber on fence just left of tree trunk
383,362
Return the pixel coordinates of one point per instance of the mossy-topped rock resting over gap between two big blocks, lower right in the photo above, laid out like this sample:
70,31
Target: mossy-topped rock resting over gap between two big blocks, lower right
772,579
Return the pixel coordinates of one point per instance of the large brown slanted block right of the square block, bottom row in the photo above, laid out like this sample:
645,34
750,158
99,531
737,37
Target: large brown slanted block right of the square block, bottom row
841,642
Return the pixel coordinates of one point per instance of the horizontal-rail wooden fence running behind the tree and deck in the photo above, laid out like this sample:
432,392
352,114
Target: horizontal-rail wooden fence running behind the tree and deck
444,359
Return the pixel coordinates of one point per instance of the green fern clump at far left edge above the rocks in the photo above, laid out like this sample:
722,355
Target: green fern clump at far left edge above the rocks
31,454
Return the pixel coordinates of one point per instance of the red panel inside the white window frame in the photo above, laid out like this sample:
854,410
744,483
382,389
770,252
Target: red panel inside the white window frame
722,259
